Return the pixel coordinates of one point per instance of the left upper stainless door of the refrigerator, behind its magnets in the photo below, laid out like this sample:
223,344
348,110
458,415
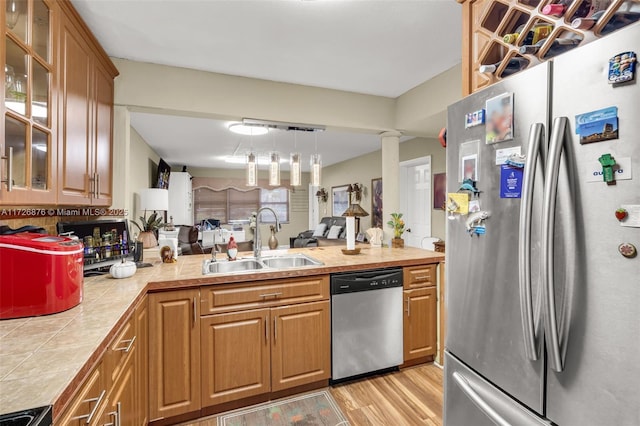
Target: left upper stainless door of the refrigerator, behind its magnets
484,322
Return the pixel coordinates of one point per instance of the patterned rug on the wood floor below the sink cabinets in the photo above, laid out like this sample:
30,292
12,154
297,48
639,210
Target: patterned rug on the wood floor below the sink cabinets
314,409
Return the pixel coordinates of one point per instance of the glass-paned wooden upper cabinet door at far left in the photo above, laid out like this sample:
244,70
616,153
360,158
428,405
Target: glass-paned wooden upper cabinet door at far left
27,147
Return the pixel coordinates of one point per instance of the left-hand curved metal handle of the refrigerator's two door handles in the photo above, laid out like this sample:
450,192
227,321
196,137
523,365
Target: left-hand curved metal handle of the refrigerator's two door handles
531,348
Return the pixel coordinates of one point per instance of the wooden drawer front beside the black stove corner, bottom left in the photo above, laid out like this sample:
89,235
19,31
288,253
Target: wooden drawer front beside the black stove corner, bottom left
87,407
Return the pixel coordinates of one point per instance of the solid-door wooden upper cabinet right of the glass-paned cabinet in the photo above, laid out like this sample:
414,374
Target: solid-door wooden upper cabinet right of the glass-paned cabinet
86,118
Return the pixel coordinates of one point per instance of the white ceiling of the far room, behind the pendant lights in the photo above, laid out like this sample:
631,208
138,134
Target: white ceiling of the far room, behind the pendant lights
179,140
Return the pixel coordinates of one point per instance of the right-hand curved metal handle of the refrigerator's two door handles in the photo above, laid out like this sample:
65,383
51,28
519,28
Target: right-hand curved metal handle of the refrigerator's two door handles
558,136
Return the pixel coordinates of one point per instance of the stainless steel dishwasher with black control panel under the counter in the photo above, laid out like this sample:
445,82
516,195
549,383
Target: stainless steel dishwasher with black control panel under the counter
366,322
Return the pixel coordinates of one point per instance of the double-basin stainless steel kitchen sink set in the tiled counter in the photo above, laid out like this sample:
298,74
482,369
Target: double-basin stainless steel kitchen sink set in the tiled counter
253,264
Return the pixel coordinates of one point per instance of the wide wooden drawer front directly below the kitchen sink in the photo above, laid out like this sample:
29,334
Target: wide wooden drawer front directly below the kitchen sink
222,298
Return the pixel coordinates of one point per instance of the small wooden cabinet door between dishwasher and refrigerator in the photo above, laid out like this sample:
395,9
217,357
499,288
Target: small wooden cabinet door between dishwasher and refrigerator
419,332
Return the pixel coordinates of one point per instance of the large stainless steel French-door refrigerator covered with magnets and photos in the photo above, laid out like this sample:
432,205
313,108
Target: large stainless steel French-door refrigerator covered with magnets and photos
543,309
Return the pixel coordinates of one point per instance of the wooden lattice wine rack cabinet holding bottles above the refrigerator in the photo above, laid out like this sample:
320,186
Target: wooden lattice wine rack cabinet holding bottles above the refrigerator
485,23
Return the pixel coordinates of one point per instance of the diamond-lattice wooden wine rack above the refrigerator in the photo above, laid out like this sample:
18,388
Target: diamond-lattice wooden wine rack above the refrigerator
486,22
